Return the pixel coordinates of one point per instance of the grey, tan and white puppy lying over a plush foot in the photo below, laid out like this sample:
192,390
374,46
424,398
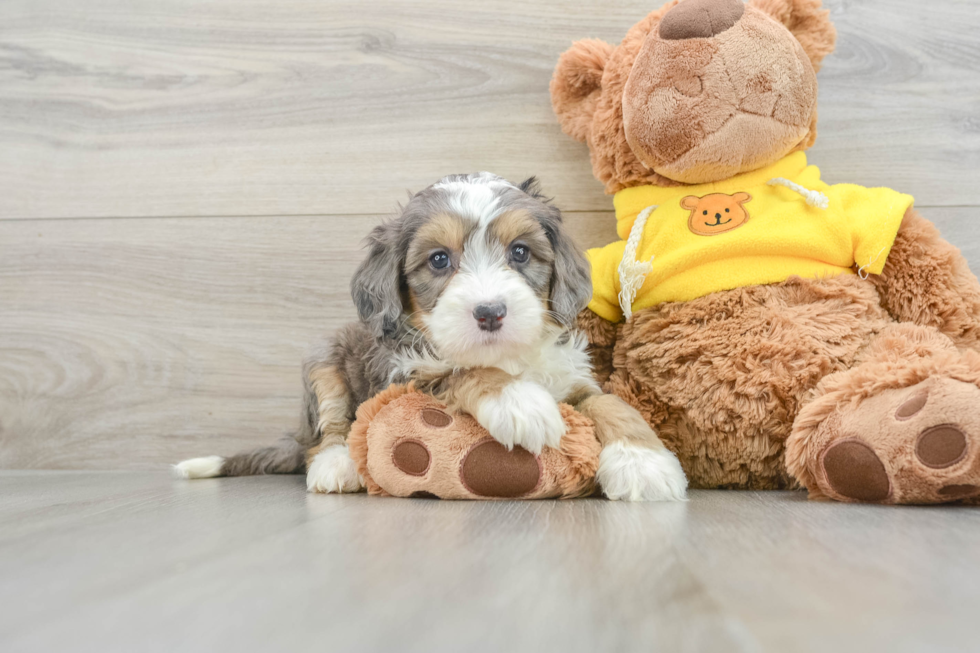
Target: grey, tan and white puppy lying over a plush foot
472,293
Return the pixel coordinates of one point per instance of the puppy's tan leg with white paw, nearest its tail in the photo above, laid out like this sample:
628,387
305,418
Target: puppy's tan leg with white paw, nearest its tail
329,467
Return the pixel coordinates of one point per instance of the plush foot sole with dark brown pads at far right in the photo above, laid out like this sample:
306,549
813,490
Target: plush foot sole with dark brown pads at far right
919,444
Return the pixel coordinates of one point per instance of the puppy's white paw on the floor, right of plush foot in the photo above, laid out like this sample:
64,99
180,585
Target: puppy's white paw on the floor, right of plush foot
631,473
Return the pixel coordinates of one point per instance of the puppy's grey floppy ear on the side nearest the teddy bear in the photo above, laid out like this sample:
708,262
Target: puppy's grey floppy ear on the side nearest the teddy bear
571,281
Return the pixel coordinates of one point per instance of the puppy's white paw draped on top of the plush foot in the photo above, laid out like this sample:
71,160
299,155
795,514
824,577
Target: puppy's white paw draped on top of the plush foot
523,414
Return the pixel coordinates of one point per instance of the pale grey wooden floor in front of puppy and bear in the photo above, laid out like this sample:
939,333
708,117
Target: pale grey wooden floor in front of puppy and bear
96,561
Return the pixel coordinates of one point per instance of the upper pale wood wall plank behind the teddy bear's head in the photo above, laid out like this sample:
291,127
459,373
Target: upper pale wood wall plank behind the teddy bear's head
287,107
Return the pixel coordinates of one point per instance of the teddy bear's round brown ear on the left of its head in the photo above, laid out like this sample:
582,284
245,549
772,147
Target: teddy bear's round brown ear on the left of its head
576,85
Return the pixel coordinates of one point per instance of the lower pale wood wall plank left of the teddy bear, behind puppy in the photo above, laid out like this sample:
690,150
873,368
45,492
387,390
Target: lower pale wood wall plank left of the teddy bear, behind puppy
134,342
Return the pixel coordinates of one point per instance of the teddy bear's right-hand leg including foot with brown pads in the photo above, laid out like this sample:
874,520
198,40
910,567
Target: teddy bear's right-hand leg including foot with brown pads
903,426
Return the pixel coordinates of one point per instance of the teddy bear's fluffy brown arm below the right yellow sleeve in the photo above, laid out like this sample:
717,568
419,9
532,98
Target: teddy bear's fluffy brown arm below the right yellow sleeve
927,281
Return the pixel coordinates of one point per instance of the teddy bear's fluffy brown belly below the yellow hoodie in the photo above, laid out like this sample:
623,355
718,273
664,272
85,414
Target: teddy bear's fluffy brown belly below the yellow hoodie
722,377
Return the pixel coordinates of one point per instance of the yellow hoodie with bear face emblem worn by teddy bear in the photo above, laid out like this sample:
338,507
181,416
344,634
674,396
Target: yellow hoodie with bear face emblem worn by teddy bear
757,228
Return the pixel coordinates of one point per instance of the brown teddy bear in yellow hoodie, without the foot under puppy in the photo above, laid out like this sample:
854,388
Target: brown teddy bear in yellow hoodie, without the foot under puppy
778,332
